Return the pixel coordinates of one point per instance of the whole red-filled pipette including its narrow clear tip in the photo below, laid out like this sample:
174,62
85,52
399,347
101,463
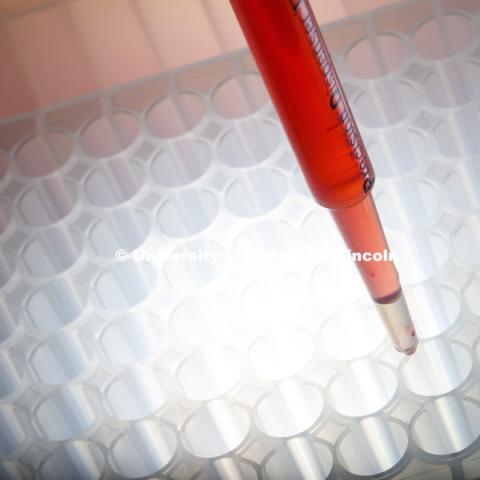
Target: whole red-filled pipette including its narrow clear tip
301,79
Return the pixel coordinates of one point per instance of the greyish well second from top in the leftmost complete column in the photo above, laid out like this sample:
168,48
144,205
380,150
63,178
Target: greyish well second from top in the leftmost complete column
47,201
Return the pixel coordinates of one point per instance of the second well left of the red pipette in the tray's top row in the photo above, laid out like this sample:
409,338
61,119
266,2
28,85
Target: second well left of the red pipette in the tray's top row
176,115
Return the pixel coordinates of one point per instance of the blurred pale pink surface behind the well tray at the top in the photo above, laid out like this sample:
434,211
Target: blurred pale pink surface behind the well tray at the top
54,50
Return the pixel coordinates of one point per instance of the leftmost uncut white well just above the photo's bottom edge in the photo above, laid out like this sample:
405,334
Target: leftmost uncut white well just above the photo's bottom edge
143,449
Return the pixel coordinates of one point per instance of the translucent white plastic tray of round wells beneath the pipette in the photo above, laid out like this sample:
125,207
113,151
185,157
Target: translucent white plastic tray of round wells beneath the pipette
175,305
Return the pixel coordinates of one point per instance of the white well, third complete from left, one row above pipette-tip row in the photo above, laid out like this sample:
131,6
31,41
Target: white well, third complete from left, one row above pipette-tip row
209,372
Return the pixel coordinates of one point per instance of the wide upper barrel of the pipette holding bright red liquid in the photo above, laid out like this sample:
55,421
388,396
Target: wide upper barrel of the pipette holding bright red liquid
296,79
